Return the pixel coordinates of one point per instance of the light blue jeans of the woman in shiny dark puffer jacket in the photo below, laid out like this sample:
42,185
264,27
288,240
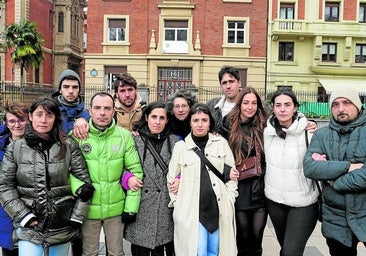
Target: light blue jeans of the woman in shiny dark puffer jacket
28,248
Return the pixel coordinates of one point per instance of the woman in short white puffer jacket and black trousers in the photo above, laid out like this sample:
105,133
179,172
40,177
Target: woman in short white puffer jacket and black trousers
291,197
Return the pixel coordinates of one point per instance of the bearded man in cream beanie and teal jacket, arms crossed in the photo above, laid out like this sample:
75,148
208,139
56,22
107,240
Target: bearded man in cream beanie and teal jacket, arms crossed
336,156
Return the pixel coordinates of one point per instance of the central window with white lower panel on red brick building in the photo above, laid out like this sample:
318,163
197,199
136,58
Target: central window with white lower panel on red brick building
175,36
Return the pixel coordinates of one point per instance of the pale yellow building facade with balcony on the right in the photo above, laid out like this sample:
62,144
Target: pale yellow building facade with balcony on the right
317,45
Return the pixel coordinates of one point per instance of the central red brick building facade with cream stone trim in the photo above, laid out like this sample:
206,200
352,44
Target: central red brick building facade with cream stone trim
170,45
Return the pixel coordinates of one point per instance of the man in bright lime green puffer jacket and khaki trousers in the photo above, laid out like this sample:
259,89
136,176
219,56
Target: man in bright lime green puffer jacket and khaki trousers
108,150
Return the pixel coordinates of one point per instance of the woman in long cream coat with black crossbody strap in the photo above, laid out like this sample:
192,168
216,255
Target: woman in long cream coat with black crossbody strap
203,215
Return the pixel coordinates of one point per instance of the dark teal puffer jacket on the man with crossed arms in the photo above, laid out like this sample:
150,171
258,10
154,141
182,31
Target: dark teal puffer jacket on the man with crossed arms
344,194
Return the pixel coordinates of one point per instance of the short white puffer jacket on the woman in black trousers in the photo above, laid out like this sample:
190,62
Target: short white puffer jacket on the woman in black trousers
285,182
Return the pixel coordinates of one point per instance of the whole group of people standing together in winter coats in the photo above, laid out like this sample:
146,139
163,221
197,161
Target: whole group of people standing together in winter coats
164,176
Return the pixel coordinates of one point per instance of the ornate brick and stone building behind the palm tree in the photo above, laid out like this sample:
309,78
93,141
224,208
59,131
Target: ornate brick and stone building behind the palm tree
61,24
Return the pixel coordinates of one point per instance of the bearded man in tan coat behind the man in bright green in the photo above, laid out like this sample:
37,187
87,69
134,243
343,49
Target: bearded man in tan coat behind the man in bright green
127,100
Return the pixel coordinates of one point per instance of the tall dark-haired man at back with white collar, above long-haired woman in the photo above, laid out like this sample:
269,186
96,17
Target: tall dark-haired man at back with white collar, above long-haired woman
229,79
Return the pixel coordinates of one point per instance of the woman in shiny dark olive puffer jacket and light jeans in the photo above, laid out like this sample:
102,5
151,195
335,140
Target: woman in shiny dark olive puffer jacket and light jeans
35,183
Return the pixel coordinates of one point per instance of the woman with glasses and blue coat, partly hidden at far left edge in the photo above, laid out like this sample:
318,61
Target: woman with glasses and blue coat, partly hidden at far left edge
15,120
